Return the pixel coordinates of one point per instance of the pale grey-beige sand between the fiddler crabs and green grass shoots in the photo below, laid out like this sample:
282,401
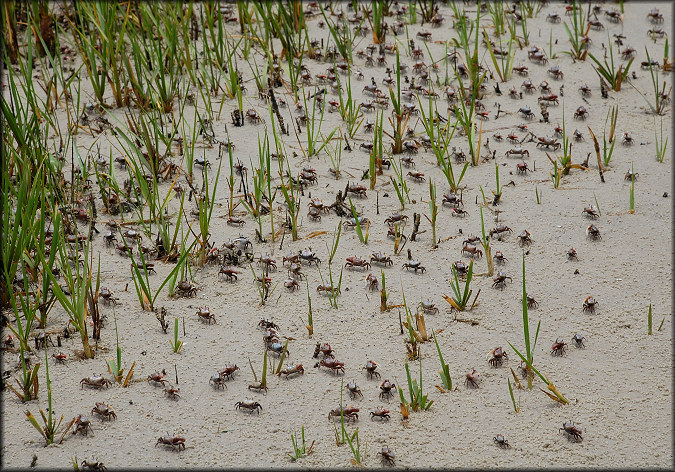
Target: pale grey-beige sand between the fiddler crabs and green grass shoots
619,386
